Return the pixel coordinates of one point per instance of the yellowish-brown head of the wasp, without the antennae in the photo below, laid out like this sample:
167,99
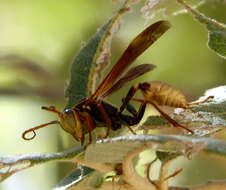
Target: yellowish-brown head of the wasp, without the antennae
71,123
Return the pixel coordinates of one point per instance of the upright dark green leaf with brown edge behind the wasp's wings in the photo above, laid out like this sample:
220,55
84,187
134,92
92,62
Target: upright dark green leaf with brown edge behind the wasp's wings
83,68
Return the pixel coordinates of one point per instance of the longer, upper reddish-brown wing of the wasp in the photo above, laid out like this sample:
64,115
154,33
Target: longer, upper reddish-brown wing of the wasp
135,48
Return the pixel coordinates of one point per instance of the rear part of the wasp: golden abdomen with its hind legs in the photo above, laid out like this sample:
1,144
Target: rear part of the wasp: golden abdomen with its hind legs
157,94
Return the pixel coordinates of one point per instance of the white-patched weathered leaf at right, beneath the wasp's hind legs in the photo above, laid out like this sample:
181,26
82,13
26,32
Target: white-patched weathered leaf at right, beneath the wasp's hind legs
204,119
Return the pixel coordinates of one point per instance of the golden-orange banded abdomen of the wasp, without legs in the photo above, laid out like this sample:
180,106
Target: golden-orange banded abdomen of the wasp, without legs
163,94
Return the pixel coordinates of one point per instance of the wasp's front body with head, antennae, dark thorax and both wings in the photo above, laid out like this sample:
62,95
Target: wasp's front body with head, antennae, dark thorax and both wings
93,111
